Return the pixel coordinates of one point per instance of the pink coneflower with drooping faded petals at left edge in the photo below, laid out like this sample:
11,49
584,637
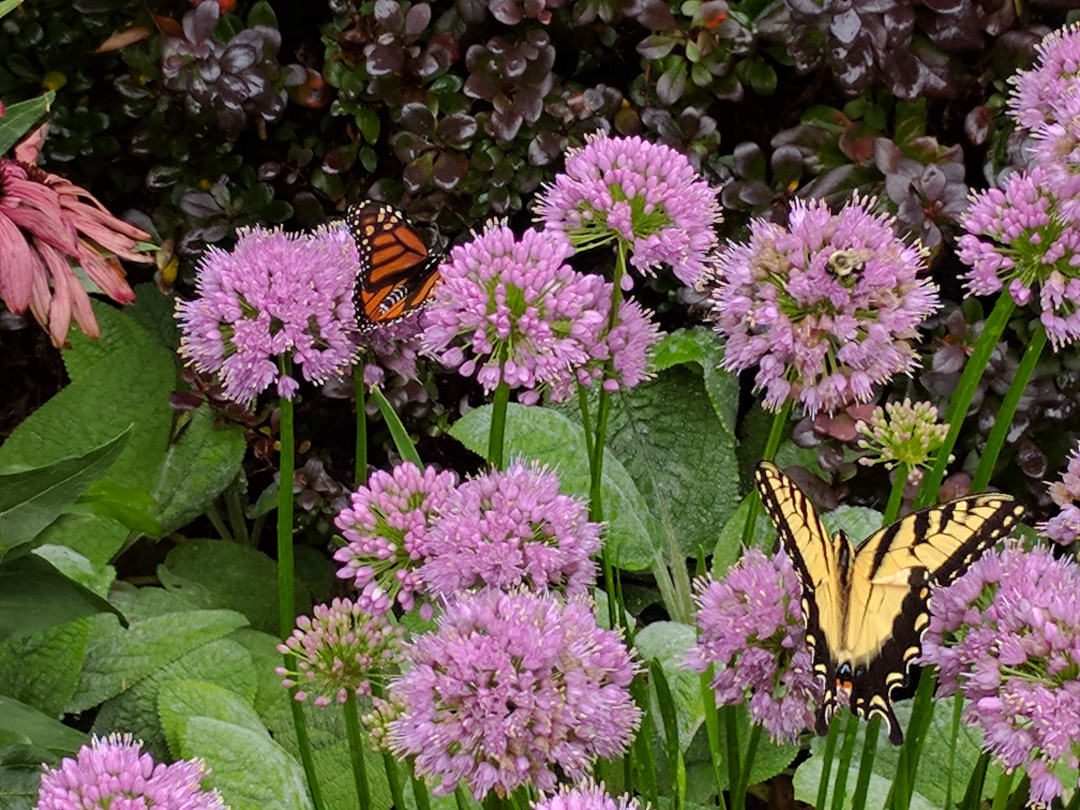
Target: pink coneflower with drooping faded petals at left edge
48,226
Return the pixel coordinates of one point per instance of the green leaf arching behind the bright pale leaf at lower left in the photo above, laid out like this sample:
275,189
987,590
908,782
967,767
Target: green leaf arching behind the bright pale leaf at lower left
224,664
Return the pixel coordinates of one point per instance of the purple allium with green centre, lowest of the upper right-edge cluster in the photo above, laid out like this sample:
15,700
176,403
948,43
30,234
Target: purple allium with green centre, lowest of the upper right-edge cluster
1029,236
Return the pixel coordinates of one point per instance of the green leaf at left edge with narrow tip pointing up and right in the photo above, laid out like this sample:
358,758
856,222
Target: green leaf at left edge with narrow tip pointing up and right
32,501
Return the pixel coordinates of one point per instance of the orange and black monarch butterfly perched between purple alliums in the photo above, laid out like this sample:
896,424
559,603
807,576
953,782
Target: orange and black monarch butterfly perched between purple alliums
397,272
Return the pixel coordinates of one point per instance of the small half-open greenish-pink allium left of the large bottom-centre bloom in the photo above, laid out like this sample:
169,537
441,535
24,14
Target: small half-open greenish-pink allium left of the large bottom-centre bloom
339,652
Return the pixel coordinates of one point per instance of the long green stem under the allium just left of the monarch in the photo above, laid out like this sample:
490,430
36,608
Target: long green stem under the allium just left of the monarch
287,584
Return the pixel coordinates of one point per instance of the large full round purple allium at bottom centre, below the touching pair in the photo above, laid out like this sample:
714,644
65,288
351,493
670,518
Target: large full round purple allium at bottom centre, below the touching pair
514,690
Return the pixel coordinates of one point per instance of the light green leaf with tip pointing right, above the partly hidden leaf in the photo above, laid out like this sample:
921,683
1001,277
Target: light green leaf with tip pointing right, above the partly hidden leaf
117,658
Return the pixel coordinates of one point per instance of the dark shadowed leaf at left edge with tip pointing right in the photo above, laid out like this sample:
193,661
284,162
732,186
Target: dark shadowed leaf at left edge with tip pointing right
35,597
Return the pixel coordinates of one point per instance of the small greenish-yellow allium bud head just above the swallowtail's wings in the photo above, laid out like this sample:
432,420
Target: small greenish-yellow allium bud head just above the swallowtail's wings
902,434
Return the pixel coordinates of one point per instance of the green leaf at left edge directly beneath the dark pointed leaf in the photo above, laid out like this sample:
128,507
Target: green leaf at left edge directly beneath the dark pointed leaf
43,670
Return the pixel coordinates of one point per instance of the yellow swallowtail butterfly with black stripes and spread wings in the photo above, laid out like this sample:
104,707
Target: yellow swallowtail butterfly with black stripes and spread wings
867,607
